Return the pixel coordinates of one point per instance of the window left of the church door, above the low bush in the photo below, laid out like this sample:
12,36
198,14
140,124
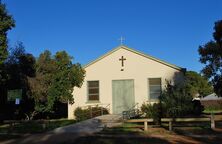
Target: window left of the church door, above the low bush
93,90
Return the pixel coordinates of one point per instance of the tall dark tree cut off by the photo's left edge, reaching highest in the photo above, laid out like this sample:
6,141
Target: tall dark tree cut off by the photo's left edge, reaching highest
6,24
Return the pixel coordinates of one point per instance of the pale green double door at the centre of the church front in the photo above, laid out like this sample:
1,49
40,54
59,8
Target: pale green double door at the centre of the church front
123,95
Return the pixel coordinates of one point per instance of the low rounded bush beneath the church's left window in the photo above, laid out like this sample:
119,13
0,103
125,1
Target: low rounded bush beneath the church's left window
83,114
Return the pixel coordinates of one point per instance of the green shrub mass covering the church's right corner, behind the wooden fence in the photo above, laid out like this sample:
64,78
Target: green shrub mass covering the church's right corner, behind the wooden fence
176,100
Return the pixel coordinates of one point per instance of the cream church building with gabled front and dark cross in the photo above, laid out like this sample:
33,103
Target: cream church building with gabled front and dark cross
122,78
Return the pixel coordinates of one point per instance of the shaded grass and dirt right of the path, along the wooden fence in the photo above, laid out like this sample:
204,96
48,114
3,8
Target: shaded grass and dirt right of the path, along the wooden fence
132,133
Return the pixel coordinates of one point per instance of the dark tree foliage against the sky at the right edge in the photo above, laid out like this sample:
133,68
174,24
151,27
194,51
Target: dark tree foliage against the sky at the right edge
211,57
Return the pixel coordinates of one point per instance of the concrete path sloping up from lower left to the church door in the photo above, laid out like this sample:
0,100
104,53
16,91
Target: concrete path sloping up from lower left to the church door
66,134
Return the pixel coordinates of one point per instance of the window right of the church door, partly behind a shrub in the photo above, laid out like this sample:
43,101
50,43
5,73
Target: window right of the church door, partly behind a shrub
155,88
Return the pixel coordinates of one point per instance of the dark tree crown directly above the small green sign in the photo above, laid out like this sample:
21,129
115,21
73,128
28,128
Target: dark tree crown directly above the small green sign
19,66
